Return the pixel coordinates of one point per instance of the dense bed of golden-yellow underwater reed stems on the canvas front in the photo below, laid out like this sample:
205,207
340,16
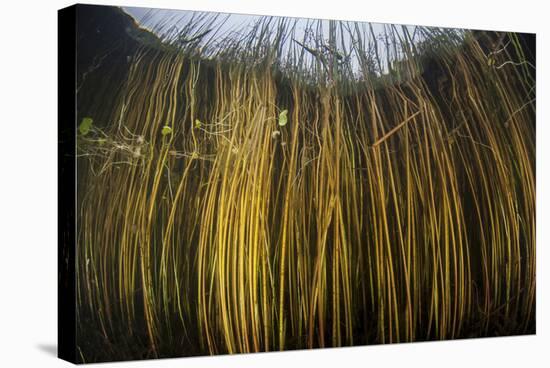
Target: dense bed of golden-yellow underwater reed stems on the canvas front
253,196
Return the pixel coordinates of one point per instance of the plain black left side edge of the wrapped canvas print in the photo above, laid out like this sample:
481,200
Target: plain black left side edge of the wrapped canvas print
66,187
